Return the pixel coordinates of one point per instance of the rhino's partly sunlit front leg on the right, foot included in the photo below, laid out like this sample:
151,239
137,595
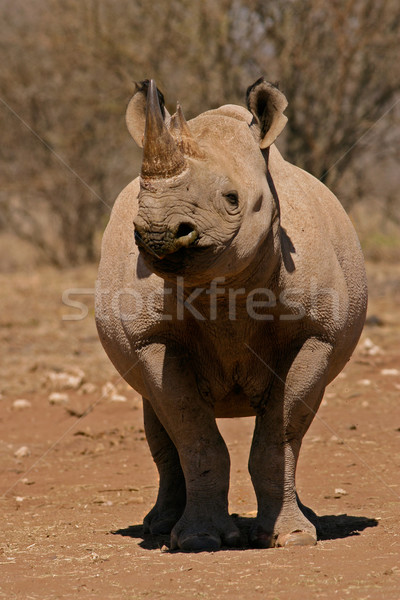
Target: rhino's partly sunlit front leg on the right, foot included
282,520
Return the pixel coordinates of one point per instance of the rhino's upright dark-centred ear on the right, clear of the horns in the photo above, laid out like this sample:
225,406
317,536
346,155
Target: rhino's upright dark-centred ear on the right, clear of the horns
267,104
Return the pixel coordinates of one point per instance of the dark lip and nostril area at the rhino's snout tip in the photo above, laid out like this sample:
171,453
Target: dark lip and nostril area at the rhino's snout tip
163,240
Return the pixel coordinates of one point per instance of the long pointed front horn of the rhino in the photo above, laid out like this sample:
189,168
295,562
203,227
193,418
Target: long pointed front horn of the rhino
162,158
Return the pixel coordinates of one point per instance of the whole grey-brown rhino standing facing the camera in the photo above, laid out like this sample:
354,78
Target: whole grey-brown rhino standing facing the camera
231,284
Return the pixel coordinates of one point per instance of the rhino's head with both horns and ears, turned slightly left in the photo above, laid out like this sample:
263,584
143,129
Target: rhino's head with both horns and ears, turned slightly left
205,206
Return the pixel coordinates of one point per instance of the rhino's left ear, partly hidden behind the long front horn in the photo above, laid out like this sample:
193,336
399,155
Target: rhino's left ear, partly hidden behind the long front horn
136,112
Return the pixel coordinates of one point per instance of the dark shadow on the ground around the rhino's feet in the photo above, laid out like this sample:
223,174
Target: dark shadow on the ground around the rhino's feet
329,527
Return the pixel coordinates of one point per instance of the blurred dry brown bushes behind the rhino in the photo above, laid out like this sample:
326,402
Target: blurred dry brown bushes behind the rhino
68,70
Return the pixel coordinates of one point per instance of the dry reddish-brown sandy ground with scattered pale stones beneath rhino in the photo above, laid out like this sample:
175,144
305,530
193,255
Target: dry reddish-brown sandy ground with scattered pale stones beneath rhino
76,476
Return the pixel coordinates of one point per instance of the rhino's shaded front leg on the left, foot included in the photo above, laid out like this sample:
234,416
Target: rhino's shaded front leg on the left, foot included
190,423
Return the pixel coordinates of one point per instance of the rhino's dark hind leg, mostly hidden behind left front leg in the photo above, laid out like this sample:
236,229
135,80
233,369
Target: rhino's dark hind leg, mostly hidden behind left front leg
171,497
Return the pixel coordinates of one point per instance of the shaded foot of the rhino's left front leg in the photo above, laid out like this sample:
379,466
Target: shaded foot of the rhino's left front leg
206,537
